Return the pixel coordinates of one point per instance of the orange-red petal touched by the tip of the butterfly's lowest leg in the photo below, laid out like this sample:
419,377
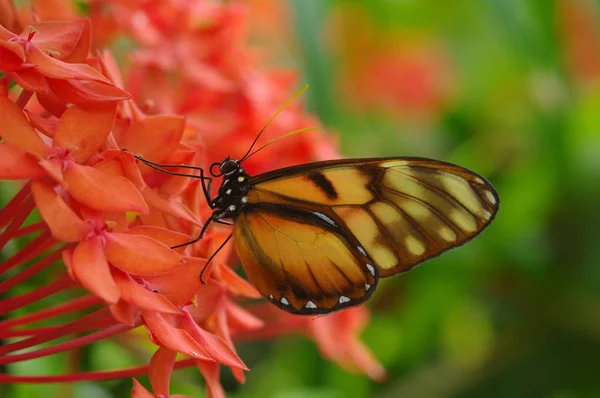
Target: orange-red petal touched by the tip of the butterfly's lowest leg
180,285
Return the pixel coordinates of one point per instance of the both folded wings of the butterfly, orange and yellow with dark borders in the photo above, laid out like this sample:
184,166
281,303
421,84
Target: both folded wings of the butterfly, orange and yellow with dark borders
390,213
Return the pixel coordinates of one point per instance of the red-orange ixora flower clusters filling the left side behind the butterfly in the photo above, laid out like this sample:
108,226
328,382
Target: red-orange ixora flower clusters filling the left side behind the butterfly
111,228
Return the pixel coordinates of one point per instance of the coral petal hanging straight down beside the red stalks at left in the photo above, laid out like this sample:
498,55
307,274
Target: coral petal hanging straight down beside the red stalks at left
91,269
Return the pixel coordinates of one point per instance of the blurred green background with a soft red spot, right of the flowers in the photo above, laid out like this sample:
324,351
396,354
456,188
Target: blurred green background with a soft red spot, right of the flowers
508,88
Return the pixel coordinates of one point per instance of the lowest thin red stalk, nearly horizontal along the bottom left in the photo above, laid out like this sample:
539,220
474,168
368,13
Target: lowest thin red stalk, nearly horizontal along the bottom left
90,376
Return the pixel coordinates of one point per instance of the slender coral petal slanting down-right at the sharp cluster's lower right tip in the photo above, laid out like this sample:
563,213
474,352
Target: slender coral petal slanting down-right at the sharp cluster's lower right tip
215,346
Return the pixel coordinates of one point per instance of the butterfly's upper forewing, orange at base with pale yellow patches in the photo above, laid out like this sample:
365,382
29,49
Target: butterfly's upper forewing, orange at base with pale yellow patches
400,211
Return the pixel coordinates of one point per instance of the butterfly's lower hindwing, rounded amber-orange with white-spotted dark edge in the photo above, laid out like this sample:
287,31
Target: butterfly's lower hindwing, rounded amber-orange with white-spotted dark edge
300,259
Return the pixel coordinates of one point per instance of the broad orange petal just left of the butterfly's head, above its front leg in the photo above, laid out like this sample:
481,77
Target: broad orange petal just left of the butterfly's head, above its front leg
165,132
